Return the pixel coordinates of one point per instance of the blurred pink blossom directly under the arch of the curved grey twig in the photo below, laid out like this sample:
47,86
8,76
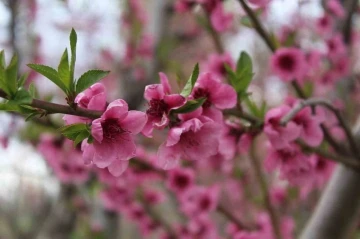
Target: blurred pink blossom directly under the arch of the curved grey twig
311,131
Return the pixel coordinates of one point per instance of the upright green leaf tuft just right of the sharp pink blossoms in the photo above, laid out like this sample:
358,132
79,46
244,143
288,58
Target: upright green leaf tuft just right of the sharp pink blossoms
241,78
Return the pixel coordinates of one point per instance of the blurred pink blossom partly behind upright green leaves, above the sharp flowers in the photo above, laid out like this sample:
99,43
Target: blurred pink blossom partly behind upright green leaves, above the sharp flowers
215,64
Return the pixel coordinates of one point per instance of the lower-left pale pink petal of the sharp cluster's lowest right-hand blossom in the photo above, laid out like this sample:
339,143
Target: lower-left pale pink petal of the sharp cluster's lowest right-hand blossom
168,157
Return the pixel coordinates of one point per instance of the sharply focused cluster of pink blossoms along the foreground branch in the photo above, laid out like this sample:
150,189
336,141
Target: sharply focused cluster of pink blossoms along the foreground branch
191,136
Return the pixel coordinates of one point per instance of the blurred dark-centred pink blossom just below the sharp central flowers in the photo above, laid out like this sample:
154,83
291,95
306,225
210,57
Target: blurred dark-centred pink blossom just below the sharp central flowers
180,180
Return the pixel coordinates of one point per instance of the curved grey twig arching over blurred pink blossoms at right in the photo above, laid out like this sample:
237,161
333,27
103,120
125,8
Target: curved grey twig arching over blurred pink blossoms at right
314,102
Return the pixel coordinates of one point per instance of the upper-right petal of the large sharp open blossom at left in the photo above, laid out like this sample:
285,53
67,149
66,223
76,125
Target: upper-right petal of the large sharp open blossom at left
134,121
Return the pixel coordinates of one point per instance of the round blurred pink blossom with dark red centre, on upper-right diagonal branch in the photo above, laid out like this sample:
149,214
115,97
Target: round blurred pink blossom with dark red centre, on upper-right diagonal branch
289,64
